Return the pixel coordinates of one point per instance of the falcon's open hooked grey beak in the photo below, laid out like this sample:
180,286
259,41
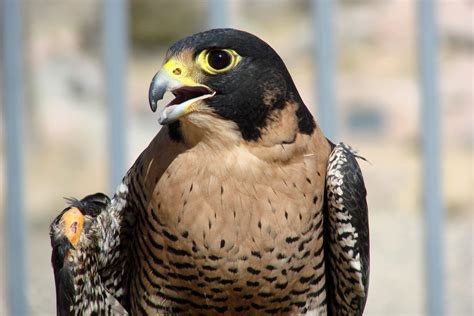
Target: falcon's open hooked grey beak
186,96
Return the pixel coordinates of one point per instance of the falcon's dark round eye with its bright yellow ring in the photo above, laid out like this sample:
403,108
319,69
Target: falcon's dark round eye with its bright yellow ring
216,61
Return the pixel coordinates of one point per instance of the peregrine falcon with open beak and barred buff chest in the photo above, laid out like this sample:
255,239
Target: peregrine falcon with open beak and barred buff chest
239,205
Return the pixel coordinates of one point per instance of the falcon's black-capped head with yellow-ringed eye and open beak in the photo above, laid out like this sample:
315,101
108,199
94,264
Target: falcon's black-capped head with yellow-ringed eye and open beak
226,77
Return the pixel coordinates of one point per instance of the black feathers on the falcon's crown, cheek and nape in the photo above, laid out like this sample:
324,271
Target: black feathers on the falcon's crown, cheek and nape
240,92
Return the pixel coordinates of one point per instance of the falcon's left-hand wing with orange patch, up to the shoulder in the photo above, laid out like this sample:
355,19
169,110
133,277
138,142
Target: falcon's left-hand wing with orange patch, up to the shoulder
93,239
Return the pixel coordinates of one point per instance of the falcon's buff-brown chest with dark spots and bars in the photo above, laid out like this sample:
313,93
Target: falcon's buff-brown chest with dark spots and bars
231,232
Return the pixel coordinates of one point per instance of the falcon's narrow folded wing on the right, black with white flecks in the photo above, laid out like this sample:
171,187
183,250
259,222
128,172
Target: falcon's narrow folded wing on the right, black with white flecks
347,233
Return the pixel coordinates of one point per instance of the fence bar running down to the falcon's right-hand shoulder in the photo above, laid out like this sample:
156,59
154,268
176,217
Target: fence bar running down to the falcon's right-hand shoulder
324,57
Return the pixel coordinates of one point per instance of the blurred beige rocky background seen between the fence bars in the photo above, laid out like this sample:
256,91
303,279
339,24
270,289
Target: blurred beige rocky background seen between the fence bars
378,113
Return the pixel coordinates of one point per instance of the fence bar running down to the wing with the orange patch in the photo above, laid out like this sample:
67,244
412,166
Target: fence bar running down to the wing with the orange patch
115,56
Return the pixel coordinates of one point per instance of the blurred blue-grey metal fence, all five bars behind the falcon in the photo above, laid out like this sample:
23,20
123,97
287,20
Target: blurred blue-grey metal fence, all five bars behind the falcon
115,56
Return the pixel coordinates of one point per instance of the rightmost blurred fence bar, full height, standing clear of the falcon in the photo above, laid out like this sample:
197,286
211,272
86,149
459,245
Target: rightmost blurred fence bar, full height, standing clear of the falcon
430,123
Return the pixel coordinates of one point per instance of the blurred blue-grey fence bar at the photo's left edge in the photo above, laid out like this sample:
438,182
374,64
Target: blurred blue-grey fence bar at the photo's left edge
13,107
